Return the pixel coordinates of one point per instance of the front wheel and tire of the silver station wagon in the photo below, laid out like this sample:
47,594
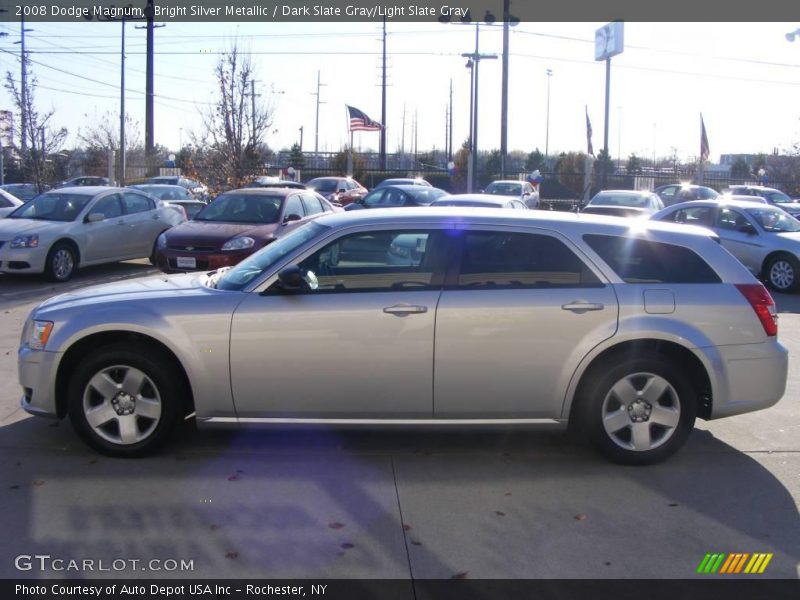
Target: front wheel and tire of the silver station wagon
133,391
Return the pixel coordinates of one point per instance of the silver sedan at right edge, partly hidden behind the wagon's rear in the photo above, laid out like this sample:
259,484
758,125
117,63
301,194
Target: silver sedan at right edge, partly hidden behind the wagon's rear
764,238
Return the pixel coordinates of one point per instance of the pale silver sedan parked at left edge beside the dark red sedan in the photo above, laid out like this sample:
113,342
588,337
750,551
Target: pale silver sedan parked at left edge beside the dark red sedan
67,228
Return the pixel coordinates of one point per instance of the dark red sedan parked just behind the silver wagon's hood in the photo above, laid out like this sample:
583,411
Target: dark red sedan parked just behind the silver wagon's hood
235,225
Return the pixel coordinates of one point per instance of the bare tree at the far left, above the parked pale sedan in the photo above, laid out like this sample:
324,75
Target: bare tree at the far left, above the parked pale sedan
42,138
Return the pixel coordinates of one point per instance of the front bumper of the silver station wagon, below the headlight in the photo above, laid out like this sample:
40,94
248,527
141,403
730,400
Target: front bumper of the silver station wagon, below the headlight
37,376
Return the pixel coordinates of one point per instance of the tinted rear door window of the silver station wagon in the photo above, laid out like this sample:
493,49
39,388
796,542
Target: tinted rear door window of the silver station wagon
520,260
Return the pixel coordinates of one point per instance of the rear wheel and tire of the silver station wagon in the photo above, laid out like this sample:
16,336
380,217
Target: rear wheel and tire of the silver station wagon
657,415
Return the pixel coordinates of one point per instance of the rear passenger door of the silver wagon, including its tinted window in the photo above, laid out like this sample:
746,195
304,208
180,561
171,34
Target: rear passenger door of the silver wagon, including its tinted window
525,310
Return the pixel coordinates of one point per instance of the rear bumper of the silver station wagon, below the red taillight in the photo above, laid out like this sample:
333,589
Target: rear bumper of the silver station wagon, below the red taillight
754,378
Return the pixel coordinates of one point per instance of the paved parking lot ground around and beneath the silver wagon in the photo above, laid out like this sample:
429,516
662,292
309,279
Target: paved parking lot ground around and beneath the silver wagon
401,505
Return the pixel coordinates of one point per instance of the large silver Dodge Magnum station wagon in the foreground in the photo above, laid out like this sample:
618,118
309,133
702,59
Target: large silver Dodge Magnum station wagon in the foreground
627,331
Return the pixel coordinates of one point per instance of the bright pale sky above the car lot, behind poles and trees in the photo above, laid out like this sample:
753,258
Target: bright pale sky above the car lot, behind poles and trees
743,77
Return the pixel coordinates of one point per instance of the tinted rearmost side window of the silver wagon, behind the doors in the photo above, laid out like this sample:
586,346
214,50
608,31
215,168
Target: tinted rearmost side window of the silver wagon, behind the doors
645,261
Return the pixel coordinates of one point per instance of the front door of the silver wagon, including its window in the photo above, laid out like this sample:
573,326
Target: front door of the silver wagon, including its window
357,344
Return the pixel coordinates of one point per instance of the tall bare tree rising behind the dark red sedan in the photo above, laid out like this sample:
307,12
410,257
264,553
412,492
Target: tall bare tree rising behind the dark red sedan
235,126
